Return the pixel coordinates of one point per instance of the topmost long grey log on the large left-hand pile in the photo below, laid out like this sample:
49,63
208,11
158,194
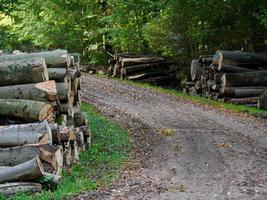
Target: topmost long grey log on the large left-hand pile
53,59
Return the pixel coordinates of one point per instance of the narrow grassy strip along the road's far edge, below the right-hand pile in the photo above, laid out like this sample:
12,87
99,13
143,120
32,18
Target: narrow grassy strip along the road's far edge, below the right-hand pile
201,100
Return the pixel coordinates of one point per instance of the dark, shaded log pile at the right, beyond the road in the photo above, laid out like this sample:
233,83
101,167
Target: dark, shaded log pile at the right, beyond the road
233,76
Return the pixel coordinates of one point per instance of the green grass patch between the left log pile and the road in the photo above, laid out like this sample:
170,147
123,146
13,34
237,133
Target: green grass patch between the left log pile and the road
98,167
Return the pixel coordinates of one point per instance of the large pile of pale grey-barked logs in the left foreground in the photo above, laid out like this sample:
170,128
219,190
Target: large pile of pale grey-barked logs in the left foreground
42,129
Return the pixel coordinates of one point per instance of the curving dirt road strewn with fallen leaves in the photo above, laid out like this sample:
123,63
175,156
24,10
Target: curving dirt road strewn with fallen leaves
186,151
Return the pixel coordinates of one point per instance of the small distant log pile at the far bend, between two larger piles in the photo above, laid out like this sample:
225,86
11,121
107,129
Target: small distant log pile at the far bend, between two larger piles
149,69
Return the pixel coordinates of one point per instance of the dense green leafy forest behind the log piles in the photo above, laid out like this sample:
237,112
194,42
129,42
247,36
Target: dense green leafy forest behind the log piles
179,29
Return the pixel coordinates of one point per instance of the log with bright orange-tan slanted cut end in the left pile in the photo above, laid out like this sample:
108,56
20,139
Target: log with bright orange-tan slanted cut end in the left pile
44,91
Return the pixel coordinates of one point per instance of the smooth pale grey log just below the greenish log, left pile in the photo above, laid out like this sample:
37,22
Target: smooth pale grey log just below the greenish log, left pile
16,135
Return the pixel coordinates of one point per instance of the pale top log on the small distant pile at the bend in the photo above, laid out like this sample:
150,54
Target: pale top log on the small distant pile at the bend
135,61
